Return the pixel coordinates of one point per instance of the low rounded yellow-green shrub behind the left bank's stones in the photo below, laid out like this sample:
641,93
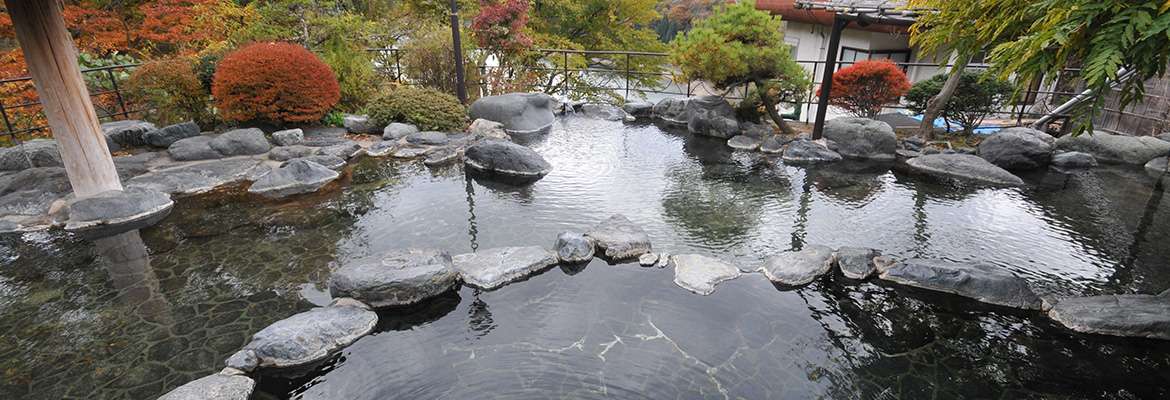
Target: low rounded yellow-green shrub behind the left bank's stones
429,109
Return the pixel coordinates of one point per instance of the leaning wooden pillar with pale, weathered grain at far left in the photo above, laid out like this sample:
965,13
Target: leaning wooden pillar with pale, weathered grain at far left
52,59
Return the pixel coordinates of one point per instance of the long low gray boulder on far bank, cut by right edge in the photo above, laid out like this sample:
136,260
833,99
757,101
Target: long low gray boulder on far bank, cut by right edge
1117,149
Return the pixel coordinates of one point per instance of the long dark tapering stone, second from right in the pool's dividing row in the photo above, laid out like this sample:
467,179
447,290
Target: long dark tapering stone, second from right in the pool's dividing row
983,282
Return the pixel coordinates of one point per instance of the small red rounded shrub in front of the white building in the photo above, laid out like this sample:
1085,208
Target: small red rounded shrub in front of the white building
868,87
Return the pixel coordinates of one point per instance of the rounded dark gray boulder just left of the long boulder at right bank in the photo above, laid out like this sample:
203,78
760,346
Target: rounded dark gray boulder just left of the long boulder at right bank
1017,149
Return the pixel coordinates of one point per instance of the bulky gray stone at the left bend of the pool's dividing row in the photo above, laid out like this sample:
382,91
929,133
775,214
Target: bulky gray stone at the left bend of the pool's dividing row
397,278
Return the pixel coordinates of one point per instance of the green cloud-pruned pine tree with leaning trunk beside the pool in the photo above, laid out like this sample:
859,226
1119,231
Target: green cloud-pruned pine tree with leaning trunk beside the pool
739,45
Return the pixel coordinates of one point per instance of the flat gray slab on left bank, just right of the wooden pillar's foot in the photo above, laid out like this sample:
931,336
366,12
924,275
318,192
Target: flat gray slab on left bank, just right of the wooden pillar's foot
197,178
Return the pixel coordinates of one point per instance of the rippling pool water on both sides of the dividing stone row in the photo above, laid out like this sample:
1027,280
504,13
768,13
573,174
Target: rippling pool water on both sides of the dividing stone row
136,316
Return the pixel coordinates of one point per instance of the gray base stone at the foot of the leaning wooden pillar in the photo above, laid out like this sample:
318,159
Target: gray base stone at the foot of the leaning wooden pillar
118,211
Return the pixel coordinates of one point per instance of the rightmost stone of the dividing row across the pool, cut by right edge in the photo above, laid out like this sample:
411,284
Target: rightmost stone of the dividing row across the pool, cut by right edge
1144,316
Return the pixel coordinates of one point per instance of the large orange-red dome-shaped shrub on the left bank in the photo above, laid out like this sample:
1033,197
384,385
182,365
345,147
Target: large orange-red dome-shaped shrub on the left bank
274,82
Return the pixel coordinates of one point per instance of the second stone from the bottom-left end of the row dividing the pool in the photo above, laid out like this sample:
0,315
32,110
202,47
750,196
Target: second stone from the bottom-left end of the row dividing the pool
311,336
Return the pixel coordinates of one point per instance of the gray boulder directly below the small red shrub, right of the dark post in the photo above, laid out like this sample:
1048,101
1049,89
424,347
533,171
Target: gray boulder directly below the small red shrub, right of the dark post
863,139
